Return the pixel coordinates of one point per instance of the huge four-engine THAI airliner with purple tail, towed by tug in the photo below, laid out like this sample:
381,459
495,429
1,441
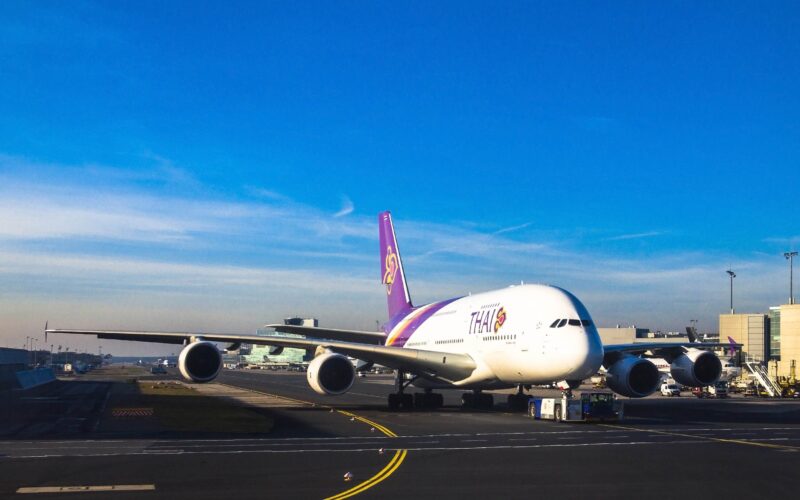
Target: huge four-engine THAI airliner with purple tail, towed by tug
515,337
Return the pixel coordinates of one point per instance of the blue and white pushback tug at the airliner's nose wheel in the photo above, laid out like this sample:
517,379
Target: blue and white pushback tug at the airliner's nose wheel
589,406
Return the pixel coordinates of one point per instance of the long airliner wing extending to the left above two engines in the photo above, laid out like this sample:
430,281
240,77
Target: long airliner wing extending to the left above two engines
440,365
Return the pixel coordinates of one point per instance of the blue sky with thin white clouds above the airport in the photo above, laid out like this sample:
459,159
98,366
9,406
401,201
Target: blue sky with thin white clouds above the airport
220,165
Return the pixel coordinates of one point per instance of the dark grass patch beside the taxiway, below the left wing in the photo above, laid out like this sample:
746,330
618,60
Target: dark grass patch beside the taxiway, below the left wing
180,408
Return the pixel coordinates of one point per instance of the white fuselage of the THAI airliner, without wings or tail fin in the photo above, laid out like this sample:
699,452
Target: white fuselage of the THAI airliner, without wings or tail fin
512,334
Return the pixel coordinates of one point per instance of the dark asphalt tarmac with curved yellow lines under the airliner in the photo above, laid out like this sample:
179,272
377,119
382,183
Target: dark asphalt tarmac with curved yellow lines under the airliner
338,447
